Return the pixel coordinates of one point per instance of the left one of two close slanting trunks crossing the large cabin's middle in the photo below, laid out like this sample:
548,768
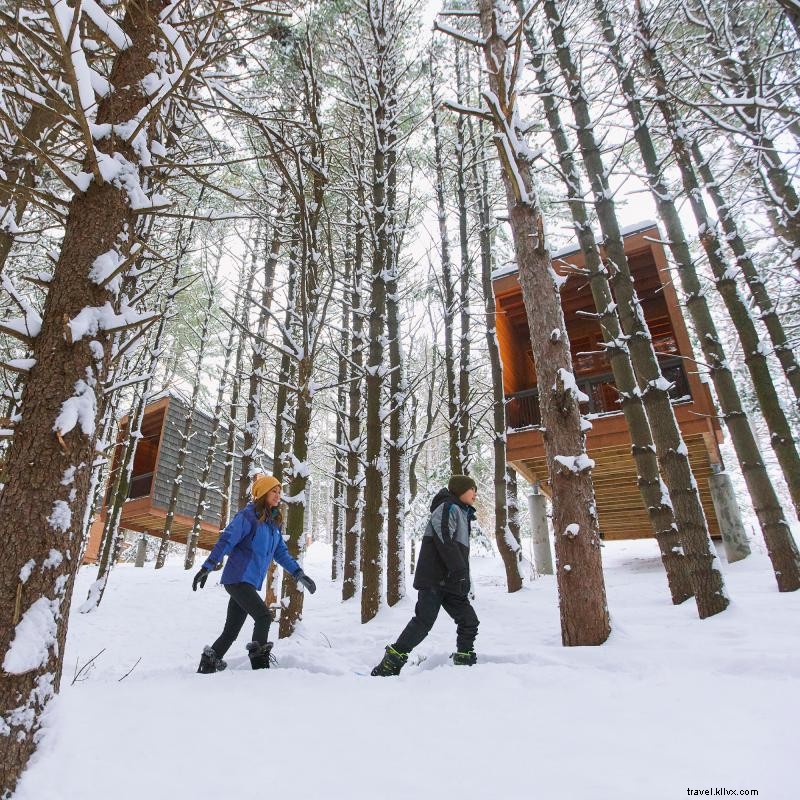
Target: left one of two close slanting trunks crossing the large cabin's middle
651,488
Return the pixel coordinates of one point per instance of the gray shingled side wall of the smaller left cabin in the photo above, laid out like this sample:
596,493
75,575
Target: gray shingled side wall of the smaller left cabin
194,463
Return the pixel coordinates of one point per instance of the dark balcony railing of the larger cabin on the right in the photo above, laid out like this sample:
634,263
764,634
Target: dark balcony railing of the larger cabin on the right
522,408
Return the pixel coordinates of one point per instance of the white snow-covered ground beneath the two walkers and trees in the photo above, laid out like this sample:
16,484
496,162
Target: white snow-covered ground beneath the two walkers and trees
670,703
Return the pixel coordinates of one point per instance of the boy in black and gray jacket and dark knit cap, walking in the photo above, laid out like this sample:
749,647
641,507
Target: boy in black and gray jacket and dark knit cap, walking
442,578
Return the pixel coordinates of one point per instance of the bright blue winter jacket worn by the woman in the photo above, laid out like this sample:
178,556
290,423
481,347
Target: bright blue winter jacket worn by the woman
252,546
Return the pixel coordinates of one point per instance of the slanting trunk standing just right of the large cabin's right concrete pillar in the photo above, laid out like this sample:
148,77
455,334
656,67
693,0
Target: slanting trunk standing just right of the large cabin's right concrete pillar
780,545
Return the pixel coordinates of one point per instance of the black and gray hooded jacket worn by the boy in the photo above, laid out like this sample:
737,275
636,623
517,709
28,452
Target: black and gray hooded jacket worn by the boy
444,554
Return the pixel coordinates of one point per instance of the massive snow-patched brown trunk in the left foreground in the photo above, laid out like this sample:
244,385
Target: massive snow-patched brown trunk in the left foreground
51,496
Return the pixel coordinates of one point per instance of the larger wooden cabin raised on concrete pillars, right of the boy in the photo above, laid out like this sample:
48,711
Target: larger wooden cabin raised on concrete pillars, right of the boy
622,514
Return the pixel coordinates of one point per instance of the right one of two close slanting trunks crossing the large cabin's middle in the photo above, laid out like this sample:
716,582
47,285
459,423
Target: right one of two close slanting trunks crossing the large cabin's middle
673,458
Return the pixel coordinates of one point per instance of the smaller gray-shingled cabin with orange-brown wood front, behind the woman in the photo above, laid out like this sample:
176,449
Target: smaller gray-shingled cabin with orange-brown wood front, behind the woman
154,470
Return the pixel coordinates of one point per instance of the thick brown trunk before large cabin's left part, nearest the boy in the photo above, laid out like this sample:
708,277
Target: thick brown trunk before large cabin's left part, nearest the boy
584,612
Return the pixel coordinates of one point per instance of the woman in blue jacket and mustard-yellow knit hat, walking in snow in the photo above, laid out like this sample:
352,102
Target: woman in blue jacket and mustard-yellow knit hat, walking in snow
251,541
